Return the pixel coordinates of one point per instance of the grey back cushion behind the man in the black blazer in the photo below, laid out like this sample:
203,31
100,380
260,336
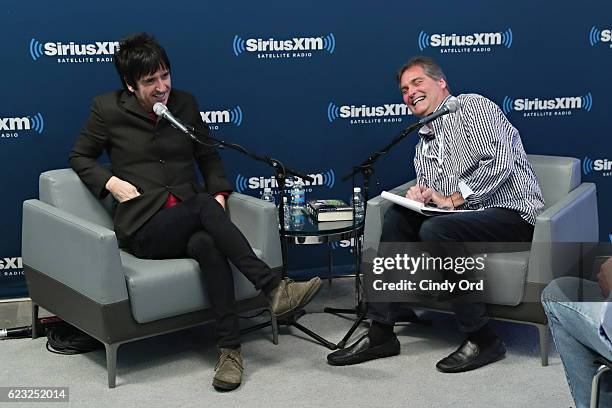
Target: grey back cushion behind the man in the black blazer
64,189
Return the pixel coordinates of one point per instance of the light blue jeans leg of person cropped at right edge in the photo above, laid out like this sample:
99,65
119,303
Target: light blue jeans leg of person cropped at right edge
575,329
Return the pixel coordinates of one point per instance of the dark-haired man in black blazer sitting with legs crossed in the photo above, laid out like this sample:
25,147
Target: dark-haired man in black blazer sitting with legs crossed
162,211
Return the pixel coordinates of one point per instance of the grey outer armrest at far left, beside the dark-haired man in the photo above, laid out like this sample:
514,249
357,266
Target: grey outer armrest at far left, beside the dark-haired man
80,254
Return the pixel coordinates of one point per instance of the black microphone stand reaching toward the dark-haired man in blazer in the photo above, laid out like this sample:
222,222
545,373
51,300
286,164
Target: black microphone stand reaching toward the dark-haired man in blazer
281,173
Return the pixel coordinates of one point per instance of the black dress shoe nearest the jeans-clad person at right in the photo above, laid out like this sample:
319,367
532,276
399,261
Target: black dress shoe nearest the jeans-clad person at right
470,356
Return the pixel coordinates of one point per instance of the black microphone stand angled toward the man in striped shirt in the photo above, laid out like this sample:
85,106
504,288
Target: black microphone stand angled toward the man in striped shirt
366,168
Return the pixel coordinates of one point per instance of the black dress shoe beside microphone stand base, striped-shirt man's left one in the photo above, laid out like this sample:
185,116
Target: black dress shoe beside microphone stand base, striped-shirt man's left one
362,351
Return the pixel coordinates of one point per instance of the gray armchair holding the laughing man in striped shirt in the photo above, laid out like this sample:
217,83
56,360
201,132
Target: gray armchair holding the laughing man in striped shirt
517,278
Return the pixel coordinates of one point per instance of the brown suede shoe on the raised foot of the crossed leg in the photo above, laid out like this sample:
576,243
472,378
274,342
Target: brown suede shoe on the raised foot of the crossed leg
289,296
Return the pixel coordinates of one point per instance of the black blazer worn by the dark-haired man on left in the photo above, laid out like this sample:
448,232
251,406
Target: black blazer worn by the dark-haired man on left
151,155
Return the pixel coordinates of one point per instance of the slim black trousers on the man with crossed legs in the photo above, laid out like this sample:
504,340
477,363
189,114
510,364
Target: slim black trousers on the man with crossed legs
199,228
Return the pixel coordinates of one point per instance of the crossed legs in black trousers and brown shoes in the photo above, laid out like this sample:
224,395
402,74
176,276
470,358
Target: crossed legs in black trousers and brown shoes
200,228
